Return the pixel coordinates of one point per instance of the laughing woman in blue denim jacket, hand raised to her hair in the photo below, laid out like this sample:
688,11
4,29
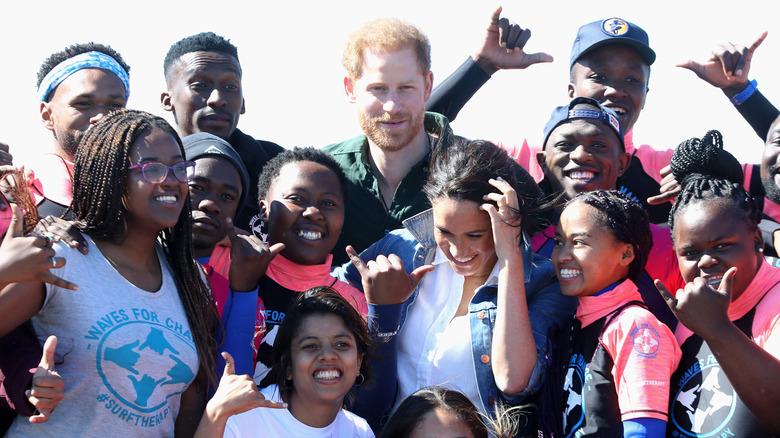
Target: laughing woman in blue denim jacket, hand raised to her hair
471,249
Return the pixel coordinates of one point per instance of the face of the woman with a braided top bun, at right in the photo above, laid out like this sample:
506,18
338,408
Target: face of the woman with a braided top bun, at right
710,237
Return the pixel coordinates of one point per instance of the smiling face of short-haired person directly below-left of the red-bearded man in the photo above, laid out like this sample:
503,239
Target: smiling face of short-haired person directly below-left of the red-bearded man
305,208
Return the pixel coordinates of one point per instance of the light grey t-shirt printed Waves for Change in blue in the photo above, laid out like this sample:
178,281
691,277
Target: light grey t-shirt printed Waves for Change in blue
126,354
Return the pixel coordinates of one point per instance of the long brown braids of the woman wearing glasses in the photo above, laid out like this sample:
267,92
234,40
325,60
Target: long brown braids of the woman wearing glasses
99,177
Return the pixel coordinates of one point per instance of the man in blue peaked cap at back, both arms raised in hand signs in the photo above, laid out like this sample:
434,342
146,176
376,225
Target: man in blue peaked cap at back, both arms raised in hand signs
610,62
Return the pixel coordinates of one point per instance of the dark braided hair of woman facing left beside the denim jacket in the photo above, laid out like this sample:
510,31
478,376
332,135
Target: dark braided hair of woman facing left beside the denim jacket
626,219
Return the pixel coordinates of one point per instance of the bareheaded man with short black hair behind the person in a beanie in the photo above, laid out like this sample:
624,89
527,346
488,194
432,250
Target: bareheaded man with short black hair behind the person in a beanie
203,75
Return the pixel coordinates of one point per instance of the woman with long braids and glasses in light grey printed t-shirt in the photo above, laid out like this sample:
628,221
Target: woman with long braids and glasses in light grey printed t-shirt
135,339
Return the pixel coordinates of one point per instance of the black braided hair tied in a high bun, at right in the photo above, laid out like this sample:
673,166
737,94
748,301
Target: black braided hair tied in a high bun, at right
706,171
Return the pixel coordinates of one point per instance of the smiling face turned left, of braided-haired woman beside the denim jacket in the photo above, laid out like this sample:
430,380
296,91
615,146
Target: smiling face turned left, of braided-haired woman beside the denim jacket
587,256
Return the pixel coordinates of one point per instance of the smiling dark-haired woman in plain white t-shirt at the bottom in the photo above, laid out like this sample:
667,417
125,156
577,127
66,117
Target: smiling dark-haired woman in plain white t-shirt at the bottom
321,351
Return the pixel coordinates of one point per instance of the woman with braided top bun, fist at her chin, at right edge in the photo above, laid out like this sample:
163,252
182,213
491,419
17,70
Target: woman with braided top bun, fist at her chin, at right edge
727,381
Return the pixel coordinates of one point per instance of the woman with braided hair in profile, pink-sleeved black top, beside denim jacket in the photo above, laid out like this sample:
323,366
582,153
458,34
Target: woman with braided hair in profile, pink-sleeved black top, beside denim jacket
613,379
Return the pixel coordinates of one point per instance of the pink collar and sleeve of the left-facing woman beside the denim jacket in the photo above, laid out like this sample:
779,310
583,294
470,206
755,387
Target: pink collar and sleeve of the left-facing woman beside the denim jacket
644,351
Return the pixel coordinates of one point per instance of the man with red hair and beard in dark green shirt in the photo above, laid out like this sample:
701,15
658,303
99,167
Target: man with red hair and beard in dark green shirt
389,80
